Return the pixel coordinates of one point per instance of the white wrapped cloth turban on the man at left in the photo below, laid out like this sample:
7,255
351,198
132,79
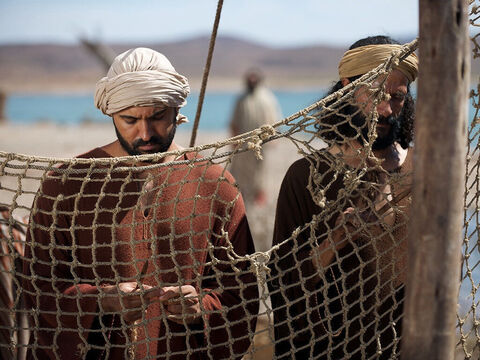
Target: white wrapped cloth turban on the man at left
141,77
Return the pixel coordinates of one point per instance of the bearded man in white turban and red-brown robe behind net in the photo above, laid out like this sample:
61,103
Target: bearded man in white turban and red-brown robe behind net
132,259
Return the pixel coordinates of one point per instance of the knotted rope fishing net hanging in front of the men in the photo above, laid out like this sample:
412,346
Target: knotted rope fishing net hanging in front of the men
95,248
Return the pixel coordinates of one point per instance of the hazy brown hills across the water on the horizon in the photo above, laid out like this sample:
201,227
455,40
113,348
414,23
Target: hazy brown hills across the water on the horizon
53,67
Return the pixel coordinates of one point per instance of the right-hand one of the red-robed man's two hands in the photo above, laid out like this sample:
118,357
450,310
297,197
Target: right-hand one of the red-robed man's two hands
181,304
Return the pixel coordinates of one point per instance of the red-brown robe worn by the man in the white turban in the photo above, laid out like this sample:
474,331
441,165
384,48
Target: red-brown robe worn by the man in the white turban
105,239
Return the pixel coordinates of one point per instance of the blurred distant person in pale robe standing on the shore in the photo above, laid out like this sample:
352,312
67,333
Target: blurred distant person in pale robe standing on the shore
256,107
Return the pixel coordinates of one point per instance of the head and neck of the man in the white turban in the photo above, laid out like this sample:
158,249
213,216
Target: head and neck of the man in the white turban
142,85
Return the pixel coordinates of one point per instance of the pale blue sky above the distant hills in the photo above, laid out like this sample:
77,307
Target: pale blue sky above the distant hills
277,23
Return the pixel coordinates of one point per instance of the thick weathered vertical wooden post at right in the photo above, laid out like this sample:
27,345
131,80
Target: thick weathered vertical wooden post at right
440,149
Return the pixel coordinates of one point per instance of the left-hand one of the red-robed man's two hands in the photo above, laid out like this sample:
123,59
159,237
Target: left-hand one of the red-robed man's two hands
127,298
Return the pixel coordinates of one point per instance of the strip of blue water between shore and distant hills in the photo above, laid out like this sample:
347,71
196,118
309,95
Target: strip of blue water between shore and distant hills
75,109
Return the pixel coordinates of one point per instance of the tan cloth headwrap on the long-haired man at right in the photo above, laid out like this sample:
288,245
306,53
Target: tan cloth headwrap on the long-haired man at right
361,60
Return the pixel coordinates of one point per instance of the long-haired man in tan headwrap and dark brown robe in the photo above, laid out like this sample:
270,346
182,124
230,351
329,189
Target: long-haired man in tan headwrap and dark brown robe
337,285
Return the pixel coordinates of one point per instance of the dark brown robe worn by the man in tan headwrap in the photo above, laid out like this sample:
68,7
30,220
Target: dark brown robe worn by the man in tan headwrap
352,308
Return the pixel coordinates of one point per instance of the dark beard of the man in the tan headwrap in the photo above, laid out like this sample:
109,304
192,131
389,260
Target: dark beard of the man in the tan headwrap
382,141
